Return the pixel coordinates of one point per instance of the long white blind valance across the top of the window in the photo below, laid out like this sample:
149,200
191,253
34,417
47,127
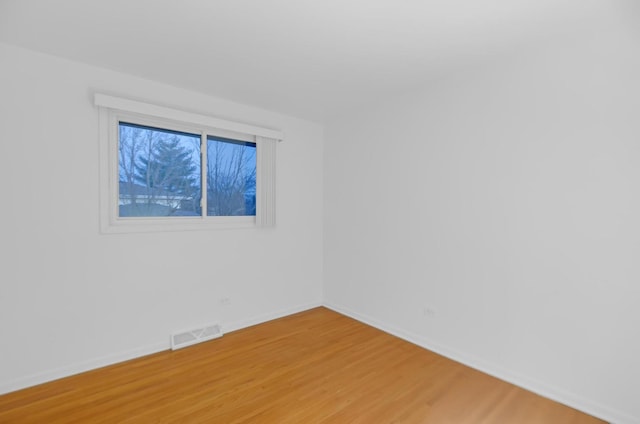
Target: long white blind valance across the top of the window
118,103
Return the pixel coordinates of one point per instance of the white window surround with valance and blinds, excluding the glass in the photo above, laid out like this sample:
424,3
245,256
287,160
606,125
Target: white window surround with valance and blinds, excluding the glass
112,110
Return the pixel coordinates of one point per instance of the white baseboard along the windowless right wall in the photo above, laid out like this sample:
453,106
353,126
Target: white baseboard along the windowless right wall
593,408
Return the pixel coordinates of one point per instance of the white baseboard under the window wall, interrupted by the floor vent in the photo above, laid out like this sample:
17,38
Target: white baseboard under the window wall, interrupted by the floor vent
91,364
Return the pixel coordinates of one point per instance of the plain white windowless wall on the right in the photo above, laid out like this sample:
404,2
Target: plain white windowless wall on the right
505,198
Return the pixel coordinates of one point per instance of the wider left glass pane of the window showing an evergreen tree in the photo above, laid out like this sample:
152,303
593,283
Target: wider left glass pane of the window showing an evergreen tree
159,172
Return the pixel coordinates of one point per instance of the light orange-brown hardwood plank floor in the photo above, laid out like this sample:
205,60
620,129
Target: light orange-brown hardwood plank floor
313,367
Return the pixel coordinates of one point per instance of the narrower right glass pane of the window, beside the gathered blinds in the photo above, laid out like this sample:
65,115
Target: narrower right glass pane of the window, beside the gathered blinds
231,177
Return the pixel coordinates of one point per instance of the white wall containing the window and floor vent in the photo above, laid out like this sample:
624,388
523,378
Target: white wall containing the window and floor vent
71,298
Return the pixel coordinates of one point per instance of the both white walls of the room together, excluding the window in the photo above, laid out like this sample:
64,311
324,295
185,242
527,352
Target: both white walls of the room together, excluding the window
504,197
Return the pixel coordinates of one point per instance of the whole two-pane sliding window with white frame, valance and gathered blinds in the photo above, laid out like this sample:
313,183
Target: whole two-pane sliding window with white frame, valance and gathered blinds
164,169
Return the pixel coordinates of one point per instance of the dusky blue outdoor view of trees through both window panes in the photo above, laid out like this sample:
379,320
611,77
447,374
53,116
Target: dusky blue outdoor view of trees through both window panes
161,174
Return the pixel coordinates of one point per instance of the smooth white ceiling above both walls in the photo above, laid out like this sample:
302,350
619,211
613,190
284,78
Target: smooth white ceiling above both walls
307,58
